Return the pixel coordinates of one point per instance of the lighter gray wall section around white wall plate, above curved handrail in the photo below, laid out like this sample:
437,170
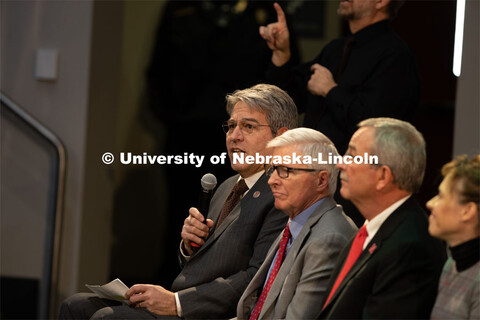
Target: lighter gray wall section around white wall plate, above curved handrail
62,106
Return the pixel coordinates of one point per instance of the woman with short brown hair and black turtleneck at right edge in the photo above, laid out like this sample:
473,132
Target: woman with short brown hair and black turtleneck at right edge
455,219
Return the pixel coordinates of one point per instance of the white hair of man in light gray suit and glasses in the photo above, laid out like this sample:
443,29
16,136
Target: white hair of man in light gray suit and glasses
311,143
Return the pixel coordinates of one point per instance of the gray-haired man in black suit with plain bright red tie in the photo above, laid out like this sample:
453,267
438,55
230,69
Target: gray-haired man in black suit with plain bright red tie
391,268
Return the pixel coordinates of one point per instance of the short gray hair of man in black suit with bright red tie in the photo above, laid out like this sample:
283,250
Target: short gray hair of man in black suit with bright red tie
400,147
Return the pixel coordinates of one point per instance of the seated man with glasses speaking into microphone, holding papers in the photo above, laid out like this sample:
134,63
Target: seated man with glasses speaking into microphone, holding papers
213,278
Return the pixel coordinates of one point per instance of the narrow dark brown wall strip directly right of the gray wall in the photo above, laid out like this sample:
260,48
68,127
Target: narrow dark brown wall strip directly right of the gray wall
98,192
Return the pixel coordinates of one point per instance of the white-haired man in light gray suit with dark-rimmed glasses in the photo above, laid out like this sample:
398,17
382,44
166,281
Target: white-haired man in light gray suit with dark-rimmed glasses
294,276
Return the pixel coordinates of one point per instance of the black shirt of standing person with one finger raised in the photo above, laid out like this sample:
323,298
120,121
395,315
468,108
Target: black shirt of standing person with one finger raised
380,79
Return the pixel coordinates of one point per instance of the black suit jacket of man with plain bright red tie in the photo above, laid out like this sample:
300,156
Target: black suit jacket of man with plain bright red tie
397,274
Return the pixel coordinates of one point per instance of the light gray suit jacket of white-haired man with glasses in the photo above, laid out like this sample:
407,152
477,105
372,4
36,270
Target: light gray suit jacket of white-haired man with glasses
303,277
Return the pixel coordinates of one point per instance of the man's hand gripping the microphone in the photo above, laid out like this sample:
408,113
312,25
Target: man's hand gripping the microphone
194,229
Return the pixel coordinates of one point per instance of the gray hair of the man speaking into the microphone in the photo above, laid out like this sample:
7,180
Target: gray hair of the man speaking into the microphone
279,108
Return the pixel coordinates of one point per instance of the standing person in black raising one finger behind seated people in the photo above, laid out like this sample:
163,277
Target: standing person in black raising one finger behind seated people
369,73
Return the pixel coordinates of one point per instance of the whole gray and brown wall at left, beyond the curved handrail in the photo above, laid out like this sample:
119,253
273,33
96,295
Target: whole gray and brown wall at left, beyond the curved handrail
104,49
